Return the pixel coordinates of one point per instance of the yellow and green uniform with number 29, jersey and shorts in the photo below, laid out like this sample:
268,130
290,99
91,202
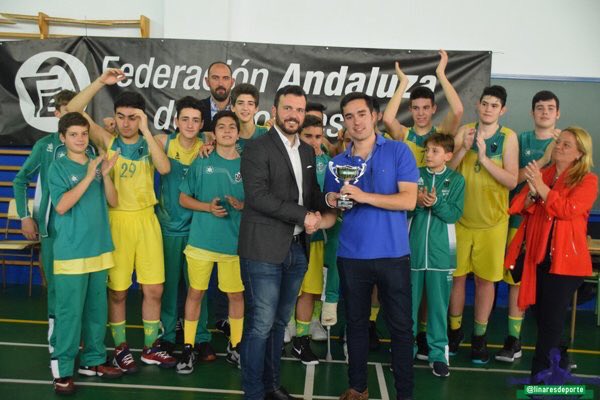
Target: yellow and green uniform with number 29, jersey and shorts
134,225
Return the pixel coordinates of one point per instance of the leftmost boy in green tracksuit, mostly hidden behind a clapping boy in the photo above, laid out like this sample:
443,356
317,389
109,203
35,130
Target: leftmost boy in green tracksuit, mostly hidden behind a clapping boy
36,166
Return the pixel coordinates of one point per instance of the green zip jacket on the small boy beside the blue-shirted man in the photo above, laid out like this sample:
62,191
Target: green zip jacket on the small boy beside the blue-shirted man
432,235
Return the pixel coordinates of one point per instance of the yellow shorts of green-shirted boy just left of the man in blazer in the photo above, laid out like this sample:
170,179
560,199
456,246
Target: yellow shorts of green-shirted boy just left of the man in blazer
200,265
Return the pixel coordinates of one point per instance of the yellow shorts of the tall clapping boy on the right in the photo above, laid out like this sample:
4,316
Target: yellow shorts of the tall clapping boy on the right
481,251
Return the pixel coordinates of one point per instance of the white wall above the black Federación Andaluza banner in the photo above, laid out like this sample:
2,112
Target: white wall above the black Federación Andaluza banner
528,37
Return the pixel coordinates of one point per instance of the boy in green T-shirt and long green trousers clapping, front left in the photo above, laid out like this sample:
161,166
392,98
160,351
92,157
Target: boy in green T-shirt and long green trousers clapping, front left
79,191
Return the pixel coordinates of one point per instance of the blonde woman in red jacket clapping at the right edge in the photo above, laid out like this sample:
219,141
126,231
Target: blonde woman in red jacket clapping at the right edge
556,209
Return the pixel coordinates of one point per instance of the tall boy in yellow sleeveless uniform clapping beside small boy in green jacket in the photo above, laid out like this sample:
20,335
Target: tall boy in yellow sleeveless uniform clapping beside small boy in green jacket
487,155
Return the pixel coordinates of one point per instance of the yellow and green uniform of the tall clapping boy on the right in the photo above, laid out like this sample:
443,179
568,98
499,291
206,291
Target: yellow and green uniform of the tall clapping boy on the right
482,230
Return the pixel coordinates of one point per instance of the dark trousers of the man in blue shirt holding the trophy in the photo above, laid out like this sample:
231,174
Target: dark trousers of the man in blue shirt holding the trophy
392,277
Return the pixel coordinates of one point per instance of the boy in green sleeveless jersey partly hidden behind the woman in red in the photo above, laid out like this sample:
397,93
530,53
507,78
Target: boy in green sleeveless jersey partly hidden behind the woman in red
535,145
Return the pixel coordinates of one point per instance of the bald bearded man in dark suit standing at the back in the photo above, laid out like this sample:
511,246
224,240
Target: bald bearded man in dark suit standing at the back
220,82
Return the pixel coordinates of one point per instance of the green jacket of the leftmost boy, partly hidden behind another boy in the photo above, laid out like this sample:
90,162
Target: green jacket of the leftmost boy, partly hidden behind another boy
36,166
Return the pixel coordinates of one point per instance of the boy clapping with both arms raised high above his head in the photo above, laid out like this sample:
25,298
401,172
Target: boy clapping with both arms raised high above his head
422,108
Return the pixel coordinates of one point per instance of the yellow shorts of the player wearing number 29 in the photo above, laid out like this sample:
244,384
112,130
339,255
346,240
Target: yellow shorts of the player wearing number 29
138,245
